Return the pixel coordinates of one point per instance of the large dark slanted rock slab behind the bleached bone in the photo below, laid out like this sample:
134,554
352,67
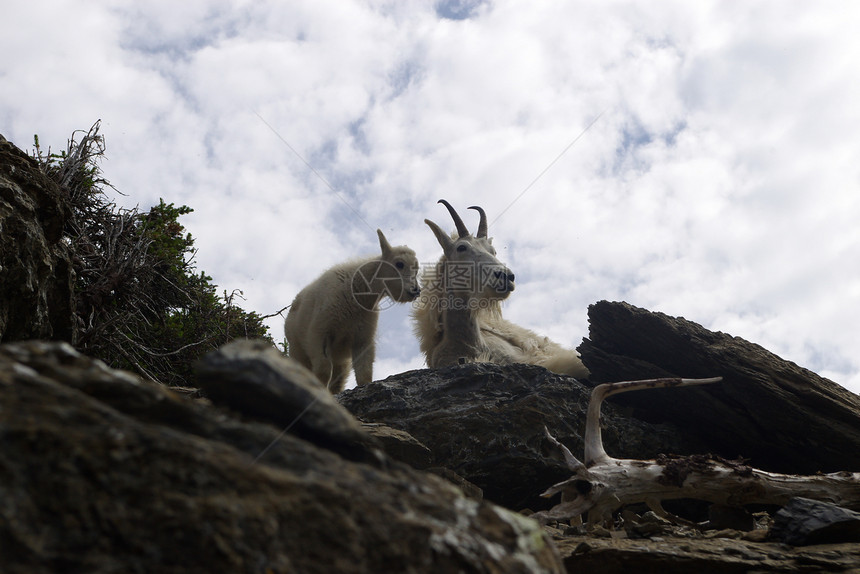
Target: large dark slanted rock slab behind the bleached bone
779,416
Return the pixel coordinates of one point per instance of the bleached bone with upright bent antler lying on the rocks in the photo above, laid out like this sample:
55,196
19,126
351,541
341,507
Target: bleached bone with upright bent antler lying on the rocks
603,484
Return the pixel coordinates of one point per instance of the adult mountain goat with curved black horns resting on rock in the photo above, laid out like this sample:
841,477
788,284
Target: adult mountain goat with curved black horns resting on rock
459,317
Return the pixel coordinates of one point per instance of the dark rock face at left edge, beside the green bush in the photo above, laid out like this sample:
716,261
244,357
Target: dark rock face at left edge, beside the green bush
36,274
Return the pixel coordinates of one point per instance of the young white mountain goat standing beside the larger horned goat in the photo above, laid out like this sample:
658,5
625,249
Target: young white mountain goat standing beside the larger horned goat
332,322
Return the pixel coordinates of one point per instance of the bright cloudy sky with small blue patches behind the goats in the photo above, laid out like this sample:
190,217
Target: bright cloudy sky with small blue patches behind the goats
700,159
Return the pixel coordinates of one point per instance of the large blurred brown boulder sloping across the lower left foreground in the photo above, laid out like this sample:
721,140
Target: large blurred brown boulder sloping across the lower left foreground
104,472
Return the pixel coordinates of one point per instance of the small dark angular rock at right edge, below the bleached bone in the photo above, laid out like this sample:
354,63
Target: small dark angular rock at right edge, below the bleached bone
803,521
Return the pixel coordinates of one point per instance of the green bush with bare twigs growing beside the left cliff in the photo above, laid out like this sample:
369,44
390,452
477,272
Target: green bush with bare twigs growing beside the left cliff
140,303
